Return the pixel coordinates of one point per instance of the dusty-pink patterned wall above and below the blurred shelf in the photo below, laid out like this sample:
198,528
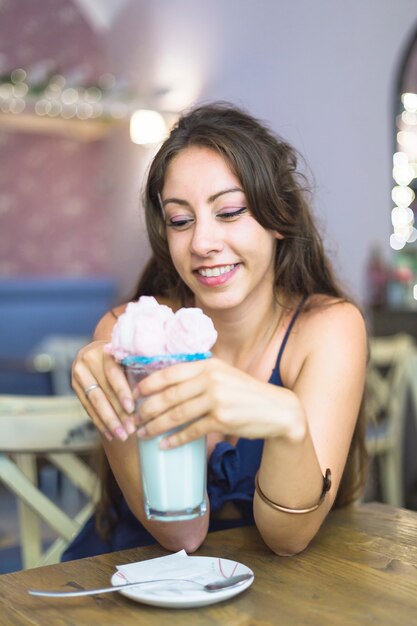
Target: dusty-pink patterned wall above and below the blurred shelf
53,209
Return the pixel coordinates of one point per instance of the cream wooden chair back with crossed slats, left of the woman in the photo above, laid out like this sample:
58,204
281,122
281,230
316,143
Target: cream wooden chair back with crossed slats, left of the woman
57,429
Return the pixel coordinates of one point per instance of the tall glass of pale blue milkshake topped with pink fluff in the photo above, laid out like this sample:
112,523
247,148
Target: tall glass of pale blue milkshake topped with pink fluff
148,337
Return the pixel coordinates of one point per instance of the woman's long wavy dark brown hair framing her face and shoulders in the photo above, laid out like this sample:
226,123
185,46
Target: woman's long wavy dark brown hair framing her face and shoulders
277,194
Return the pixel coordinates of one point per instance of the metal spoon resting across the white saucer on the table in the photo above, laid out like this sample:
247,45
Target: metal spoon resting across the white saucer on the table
233,581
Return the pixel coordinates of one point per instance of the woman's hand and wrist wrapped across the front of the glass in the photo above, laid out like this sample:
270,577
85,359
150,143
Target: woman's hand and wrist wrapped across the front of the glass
212,396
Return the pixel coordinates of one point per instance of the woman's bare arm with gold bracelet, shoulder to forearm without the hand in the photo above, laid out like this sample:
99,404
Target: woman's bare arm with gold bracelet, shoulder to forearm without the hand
329,387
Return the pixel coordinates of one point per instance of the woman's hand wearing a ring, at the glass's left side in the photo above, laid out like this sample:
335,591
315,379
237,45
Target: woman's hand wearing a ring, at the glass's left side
110,405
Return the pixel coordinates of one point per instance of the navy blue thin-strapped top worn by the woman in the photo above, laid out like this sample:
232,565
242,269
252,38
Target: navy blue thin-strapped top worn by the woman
230,478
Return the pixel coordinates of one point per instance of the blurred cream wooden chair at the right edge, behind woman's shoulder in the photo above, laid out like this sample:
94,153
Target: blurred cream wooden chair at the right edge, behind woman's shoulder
388,384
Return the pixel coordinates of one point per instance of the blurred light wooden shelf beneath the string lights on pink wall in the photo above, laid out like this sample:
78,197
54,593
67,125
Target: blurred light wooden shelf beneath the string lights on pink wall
78,130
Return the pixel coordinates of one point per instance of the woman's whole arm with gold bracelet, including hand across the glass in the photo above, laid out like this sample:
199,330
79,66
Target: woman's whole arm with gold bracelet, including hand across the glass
307,428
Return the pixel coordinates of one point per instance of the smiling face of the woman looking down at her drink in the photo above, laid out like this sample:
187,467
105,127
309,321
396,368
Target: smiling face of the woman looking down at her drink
218,248
